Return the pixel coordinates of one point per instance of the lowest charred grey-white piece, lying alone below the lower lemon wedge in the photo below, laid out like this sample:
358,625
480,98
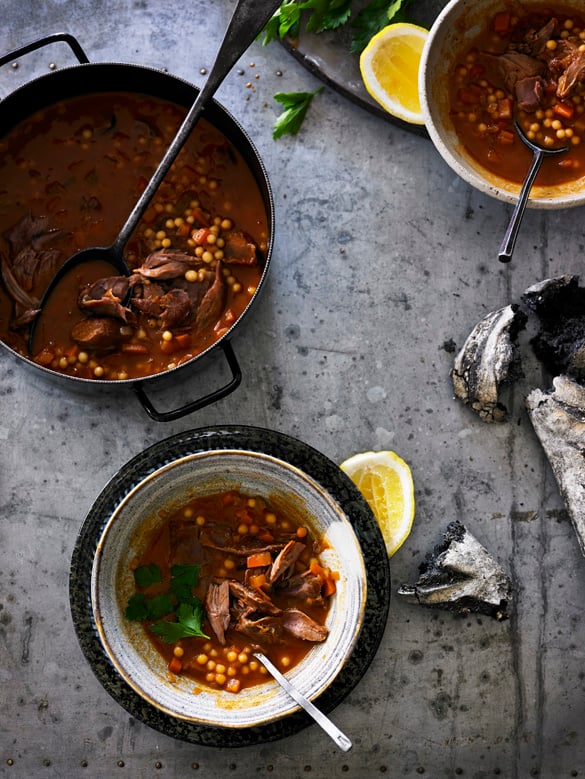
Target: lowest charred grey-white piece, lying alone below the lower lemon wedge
459,575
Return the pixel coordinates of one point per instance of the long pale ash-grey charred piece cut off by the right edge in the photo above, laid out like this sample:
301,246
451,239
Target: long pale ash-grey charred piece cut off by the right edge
558,419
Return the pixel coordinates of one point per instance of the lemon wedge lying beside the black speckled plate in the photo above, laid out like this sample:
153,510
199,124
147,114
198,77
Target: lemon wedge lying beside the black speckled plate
385,481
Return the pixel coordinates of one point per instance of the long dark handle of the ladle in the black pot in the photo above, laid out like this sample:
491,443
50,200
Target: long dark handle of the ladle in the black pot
247,22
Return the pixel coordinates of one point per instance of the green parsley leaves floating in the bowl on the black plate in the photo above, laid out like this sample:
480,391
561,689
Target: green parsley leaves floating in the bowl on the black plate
177,613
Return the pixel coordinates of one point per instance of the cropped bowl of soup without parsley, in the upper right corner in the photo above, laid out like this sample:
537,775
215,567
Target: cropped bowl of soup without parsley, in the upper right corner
485,64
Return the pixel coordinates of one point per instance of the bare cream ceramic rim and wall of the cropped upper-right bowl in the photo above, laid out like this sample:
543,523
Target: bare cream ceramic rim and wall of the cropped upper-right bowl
453,30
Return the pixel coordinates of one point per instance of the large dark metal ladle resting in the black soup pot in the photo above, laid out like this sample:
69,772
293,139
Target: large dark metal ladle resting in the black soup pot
248,20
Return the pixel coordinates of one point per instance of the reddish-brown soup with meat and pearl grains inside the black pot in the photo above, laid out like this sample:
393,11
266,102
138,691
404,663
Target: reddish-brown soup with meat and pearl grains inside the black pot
70,175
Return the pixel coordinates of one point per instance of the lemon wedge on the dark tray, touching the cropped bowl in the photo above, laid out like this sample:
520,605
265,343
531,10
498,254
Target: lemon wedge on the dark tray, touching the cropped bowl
389,67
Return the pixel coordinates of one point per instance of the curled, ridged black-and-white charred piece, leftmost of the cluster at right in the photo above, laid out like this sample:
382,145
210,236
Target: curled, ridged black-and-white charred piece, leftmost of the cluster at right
488,359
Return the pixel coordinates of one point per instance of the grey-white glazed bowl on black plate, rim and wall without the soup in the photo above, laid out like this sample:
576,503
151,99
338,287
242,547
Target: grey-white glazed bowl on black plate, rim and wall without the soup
127,531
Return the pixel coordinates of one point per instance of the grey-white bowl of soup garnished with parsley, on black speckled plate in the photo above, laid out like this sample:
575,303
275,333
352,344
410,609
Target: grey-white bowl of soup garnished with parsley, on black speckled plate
212,556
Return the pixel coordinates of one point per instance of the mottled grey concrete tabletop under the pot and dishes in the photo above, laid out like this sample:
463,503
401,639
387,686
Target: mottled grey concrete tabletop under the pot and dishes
381,258
